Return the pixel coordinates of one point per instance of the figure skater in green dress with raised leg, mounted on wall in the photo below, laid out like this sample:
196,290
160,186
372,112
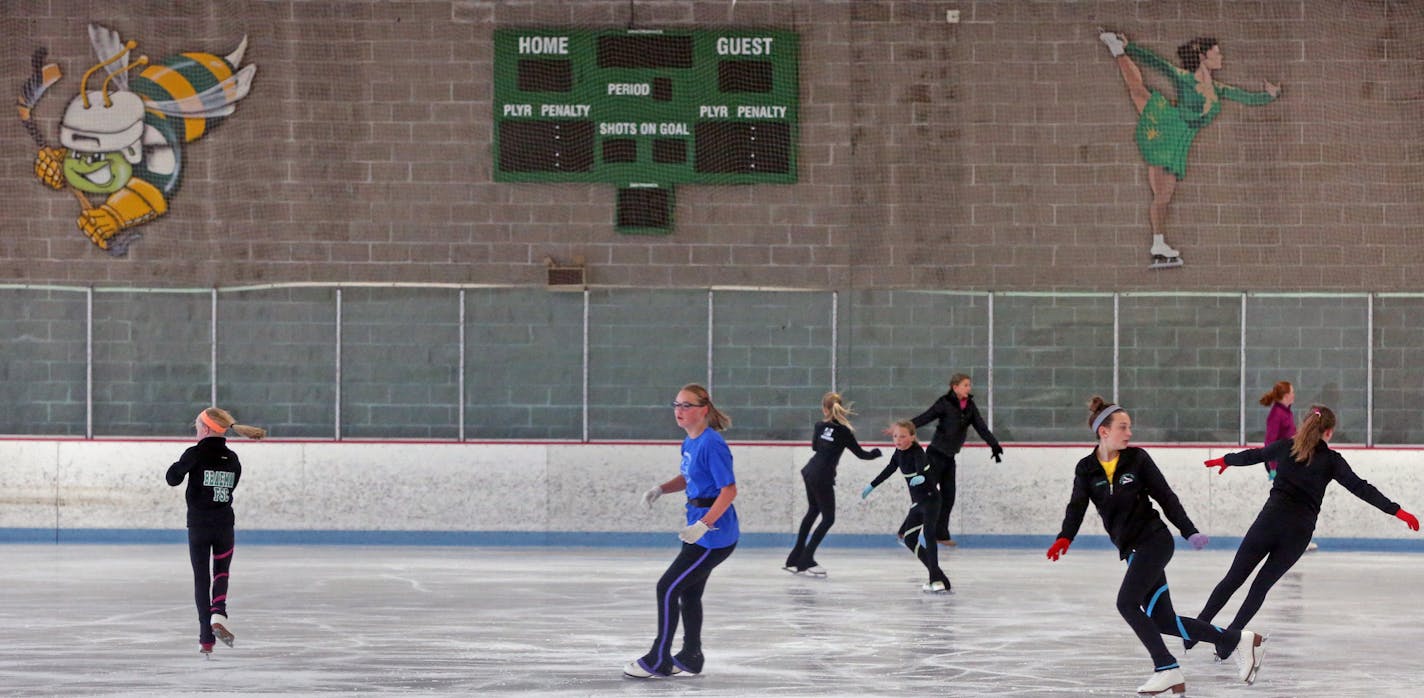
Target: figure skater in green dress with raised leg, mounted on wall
1166,129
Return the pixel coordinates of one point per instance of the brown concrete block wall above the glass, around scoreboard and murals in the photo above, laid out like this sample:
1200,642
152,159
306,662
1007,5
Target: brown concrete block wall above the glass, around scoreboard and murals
995,153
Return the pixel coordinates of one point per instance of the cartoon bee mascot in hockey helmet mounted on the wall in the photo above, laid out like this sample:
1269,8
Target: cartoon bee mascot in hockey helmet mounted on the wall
125,142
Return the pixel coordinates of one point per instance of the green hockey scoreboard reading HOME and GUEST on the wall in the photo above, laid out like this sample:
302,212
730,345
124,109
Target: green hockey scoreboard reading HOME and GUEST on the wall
646,110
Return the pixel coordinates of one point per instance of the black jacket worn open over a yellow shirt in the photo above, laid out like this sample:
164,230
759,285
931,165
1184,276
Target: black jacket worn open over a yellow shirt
1124,505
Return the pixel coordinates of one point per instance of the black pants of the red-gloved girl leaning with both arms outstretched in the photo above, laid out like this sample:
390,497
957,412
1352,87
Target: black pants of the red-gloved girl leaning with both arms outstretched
1279,541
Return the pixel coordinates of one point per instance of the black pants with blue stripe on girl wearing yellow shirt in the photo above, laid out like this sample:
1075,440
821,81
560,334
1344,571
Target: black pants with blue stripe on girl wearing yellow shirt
1146,603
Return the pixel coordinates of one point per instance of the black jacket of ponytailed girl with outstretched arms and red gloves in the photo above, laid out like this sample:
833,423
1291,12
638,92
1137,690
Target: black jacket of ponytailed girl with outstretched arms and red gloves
1301,488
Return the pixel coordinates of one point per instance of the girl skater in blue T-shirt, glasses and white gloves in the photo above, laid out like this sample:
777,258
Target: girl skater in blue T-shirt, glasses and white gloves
708,539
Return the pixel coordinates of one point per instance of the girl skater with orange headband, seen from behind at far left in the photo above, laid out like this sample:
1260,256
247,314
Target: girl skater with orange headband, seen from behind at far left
213,472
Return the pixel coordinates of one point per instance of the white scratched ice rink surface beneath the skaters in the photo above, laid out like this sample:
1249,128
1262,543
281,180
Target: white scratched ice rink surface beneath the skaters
119,620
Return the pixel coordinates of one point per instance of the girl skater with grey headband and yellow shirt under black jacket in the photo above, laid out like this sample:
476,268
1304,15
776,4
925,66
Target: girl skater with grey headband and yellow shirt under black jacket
1121,482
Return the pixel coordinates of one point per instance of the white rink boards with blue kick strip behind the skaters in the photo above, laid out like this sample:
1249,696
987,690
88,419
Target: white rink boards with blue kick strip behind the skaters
590,494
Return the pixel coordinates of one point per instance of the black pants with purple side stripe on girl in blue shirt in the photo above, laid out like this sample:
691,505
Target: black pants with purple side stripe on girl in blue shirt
680,593
